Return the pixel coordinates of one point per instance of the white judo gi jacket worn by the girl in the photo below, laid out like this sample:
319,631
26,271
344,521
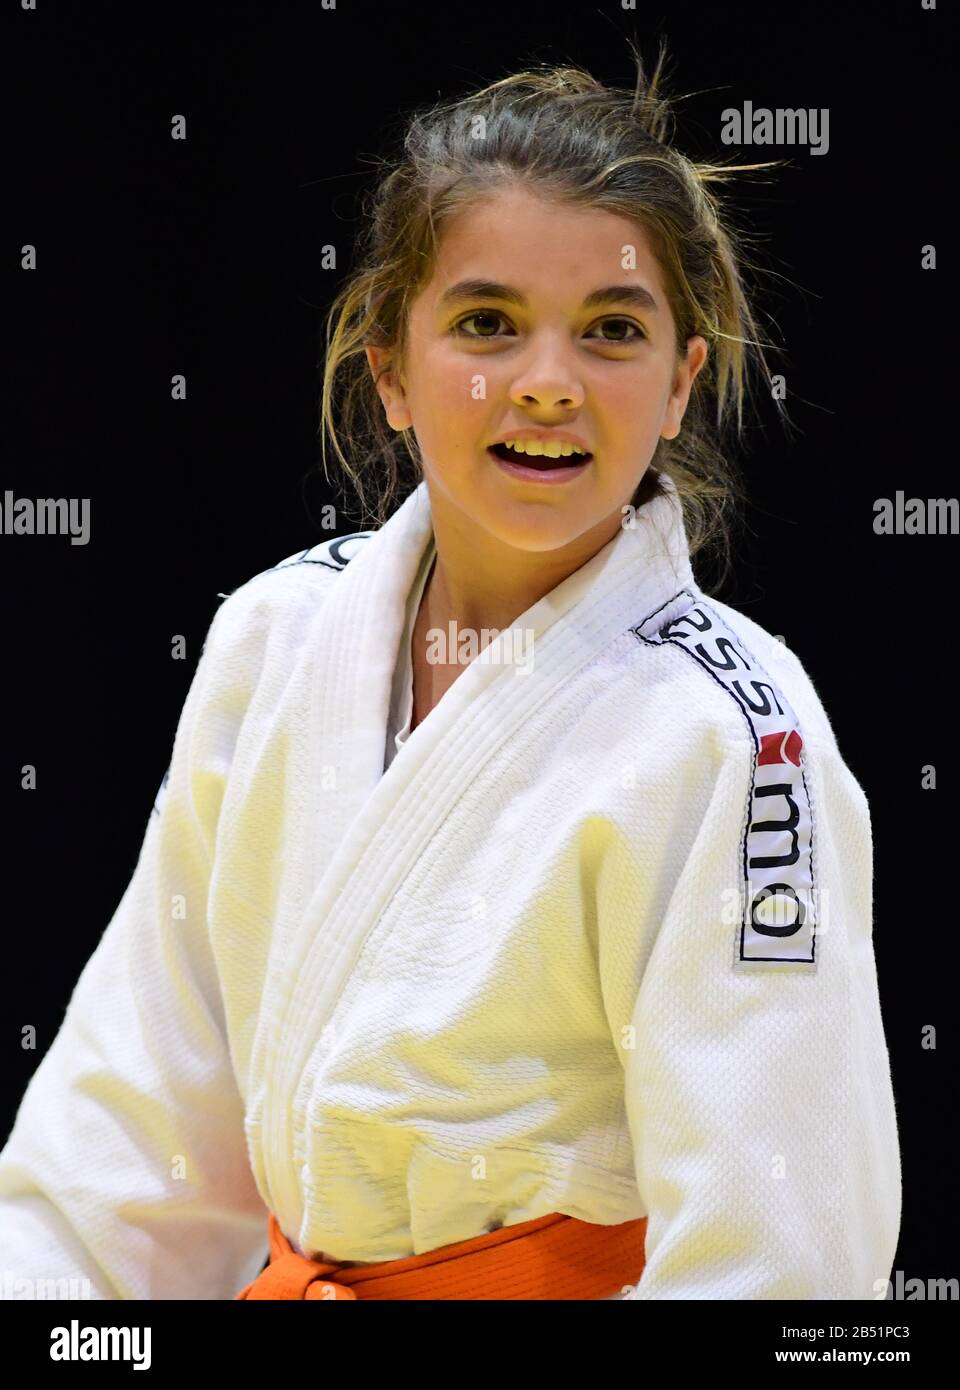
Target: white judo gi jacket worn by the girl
598,942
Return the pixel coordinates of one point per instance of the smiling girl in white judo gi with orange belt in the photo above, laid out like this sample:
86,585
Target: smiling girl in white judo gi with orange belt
504,929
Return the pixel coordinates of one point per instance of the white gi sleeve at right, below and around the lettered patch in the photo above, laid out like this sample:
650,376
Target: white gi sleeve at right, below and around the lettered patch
761,1104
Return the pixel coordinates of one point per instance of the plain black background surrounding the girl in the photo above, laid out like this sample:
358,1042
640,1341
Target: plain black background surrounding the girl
202,258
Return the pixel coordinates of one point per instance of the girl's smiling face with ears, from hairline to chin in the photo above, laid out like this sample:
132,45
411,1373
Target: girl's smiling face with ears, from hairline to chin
563,338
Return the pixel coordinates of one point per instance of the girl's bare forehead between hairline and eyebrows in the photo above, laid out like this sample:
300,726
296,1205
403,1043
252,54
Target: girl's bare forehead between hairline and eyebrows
543,247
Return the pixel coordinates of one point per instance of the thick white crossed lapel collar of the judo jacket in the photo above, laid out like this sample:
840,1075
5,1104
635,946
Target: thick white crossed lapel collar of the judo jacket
362,832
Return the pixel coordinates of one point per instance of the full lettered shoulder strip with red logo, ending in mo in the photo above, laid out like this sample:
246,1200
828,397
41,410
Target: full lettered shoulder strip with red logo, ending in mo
777,914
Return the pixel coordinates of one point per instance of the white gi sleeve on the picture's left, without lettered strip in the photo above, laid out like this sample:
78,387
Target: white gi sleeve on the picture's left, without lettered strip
127,1166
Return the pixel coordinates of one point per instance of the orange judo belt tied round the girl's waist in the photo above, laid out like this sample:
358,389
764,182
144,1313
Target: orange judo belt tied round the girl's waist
552,1257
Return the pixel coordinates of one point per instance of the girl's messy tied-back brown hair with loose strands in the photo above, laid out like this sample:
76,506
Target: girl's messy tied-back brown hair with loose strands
572,138
